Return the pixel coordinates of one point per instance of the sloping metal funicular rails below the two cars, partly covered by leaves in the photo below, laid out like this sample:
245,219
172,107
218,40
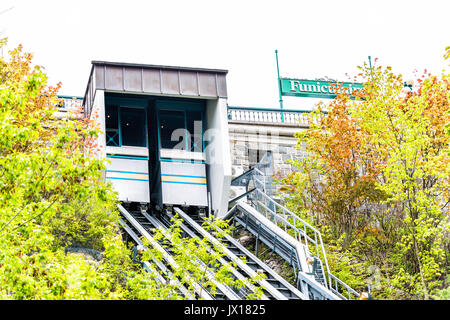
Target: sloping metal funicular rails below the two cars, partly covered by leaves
139,224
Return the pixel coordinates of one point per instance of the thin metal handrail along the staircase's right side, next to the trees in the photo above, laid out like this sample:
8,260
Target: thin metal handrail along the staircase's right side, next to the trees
299,229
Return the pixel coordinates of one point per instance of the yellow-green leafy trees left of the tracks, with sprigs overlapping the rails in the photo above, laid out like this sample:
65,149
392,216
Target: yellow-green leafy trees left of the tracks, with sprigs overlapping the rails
59,234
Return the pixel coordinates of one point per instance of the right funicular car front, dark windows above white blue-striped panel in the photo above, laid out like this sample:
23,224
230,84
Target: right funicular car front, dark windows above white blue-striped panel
181,153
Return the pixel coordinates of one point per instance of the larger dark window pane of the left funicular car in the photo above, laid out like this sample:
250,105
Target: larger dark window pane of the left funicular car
132,125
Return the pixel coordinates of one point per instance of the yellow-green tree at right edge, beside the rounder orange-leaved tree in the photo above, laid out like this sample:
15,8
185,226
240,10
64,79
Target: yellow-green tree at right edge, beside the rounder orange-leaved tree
407,130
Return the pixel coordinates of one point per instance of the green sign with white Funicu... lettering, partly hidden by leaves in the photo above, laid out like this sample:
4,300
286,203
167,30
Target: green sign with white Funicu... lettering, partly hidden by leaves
316,88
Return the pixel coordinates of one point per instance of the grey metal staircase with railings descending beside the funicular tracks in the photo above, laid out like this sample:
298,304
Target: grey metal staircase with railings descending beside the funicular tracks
292,238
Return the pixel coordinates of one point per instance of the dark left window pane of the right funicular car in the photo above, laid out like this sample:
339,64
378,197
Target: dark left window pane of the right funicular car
169,121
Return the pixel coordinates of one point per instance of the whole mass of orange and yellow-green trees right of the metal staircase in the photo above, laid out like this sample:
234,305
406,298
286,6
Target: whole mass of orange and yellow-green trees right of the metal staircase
378,168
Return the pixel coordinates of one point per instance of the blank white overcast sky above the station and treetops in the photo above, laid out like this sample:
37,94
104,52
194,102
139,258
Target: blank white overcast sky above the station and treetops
314,38
